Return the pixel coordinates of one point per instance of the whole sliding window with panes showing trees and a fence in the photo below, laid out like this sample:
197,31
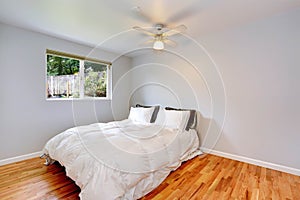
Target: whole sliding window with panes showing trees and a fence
70,76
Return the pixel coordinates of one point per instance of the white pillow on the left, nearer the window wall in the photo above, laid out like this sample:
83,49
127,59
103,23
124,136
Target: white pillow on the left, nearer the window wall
140,114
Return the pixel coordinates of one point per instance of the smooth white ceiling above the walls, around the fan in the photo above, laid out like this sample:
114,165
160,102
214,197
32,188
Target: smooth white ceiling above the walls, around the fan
108,23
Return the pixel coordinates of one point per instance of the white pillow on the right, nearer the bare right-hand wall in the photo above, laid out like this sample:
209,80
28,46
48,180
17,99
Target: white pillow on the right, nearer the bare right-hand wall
176,119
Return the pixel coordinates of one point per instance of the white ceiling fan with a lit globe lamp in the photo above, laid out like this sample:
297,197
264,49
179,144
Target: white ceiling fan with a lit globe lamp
160,35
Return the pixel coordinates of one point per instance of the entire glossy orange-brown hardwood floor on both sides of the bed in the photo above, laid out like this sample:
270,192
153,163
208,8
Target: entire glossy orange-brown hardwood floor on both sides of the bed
204,177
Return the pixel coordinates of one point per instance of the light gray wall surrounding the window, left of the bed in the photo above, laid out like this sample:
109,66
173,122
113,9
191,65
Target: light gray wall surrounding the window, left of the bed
27,120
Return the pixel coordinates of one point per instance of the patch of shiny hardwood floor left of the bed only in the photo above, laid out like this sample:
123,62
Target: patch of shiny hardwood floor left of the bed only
31,179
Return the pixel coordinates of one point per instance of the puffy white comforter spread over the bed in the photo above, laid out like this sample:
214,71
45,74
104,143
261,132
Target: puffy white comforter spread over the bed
121,160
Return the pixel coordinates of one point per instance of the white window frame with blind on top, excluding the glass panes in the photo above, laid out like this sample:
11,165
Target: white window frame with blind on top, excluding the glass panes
82,59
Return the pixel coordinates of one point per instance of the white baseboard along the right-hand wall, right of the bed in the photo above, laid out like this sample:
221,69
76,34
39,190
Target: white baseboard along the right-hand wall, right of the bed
269,165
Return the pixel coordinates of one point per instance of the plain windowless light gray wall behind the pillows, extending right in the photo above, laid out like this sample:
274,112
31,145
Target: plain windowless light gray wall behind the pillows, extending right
260,67
